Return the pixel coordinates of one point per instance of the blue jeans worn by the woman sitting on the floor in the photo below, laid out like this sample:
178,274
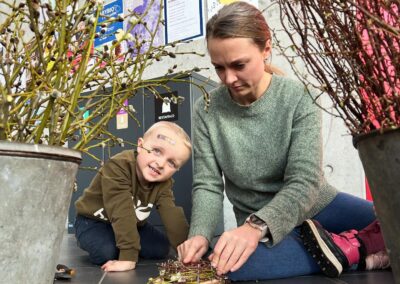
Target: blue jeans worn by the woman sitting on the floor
289,258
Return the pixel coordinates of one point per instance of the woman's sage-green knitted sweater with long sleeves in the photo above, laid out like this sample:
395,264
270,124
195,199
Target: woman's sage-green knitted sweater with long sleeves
270,156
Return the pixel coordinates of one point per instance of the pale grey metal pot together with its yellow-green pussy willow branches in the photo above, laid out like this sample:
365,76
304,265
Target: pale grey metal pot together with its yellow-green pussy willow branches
57,88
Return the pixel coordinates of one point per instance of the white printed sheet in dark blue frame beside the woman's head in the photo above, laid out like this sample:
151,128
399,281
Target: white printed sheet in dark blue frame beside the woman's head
183,20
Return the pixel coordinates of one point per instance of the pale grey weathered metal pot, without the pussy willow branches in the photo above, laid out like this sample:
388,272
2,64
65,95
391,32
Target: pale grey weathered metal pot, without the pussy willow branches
36,183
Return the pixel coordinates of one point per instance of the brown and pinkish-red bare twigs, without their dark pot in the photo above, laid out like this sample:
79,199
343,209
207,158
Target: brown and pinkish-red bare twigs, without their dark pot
351,49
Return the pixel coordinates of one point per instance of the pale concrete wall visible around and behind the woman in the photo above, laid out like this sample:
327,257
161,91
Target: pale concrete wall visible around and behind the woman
341,162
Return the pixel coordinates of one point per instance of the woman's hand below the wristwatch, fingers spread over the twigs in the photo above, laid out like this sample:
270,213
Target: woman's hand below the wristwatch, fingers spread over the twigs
234,248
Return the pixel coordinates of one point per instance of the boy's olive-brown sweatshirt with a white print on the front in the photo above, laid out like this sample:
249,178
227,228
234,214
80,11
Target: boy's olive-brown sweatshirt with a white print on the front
115,196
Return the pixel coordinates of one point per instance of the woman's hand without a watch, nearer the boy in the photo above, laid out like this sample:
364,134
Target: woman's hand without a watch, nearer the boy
192,249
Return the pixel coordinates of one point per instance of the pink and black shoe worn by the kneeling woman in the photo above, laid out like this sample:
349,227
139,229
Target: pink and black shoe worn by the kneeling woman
333,253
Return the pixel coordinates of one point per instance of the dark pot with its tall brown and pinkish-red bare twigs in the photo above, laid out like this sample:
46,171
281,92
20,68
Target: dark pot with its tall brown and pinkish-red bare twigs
351,51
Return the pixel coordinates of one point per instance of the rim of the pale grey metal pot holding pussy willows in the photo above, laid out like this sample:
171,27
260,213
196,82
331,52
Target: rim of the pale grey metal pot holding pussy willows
8,148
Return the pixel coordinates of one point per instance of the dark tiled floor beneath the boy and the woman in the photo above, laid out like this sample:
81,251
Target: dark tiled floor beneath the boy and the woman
87,273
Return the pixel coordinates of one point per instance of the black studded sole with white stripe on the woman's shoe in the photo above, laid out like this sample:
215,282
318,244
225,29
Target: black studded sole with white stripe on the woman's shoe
320,251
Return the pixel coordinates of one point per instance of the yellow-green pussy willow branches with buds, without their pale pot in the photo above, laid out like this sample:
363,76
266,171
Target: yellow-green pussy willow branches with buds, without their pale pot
54,58
